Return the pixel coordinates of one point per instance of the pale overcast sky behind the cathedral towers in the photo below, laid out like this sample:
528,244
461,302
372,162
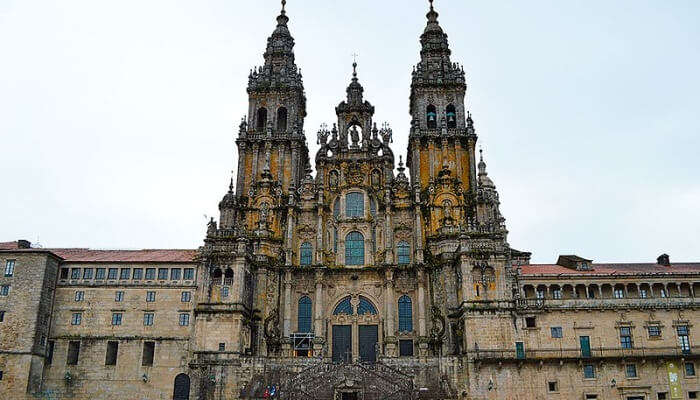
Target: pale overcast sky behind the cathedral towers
117,118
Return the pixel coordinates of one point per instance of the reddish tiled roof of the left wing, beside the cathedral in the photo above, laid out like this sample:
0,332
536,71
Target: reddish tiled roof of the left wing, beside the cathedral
89,255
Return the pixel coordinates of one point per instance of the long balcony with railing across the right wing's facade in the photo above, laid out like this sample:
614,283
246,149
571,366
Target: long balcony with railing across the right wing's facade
582,354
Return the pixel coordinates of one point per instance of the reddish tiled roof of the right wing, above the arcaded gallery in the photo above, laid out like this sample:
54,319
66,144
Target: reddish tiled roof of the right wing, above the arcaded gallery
612,269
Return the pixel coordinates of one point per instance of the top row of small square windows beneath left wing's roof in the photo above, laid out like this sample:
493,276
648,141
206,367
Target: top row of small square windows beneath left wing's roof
173,274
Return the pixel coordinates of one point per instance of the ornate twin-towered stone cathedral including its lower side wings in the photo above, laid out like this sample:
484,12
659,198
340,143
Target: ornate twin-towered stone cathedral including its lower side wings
353,283
